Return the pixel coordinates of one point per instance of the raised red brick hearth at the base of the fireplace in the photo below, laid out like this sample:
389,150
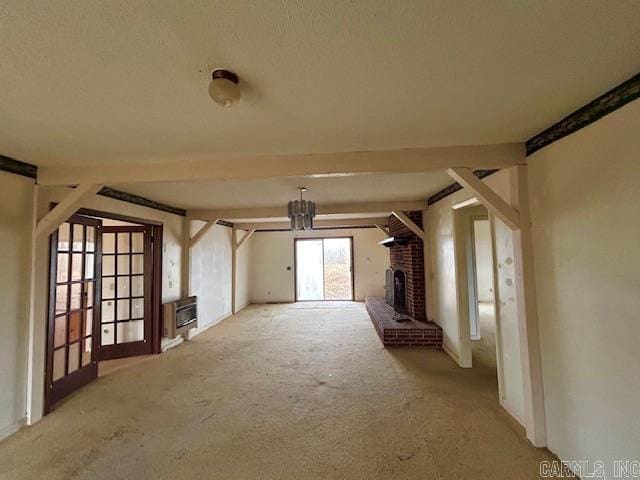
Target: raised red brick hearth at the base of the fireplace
401,334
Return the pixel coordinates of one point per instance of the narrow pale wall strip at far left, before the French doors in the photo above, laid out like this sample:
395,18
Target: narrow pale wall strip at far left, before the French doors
16,220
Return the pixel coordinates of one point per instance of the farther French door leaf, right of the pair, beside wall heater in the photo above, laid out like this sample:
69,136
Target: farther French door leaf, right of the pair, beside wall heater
125,319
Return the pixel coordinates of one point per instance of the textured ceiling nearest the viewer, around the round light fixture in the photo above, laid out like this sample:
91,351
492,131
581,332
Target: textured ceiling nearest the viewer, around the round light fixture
94,82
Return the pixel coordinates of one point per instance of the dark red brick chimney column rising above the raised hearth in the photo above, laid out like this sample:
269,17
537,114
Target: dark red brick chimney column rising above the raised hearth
409,258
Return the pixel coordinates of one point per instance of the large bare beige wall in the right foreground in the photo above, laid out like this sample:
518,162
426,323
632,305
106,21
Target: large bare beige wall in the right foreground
585,192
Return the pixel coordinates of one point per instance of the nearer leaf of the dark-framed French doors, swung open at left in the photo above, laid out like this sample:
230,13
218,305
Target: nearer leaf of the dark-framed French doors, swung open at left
72,312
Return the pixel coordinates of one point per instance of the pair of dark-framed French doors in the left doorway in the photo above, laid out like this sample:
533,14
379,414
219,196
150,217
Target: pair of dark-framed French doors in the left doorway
104,297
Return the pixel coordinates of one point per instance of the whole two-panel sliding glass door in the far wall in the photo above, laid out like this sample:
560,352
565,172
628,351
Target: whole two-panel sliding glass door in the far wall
324,269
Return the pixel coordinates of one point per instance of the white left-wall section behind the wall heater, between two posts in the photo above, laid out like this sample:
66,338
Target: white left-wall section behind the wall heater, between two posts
211,274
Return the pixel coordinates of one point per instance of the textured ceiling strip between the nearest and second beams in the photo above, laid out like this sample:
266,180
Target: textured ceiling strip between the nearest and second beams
276,192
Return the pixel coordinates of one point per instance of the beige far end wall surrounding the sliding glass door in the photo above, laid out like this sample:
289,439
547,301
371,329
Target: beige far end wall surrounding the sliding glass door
273,253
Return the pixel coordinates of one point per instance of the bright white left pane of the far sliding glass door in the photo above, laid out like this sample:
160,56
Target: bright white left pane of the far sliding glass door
309,270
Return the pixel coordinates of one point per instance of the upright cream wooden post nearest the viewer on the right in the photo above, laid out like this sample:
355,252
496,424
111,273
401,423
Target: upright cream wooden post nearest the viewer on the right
534,410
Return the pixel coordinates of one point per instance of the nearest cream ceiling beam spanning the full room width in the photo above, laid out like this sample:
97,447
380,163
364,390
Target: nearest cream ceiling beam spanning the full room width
407,160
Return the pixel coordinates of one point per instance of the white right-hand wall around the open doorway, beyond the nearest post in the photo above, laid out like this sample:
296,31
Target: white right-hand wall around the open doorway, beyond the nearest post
443,298
